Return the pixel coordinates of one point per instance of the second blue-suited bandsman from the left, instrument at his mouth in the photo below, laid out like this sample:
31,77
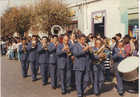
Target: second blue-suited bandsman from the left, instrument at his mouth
33,57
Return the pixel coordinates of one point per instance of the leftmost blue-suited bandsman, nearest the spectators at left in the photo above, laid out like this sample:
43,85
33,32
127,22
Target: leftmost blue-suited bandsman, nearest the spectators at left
24,58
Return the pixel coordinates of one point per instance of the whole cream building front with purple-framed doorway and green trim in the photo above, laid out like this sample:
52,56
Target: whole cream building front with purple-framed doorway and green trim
106,17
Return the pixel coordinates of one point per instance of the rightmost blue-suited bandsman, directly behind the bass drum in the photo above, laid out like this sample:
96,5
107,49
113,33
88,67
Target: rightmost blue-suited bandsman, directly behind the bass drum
119,55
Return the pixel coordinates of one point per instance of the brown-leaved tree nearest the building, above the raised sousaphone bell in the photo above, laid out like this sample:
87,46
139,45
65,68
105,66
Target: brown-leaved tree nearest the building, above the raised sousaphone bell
49,13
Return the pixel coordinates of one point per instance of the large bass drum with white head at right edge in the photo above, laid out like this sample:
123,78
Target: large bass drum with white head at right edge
128,68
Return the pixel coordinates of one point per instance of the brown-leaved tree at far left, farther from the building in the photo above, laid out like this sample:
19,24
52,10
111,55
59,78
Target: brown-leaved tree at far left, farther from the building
16,19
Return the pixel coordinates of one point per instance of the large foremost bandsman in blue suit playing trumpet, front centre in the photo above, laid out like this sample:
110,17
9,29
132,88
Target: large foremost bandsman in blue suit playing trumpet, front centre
81,65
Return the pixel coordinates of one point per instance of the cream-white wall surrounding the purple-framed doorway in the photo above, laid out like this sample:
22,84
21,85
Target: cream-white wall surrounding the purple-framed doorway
113,17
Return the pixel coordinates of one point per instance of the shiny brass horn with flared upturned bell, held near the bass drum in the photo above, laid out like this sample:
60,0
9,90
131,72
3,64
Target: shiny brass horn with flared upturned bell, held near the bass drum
105,47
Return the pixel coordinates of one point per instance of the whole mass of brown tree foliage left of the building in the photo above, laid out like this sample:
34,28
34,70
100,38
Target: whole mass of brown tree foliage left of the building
42,13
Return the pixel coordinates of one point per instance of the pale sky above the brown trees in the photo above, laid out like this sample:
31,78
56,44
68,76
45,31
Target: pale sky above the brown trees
4,3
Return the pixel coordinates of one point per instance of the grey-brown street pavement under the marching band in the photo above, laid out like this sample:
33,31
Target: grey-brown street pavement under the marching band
13,85
